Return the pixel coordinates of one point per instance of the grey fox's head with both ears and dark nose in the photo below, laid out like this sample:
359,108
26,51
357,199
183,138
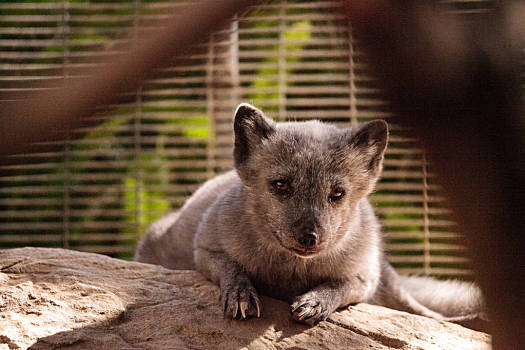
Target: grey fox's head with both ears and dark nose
303,180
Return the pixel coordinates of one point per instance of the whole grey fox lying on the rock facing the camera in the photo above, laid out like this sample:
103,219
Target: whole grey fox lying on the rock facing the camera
245,230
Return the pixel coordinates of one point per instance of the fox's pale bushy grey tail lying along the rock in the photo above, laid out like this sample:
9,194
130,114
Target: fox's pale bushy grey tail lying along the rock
453,301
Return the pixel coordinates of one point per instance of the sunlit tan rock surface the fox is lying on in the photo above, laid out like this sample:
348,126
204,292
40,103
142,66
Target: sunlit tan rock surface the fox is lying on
61,299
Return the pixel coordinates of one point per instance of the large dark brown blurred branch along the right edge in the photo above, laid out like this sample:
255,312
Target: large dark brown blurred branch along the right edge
458,85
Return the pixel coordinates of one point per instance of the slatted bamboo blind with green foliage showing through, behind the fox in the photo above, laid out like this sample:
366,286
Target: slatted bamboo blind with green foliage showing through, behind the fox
296,60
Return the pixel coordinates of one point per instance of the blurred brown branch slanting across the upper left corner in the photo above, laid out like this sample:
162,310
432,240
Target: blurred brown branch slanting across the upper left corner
49,116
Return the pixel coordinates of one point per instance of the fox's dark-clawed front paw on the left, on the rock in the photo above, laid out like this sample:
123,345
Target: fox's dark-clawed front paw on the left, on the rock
239,299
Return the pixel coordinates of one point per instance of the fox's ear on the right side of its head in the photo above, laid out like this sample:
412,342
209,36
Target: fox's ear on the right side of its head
371,139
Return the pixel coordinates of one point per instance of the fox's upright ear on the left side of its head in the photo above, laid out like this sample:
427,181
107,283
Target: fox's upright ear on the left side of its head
251,127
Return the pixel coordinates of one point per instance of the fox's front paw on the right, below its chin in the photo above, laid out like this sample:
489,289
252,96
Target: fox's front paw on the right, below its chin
311,308
